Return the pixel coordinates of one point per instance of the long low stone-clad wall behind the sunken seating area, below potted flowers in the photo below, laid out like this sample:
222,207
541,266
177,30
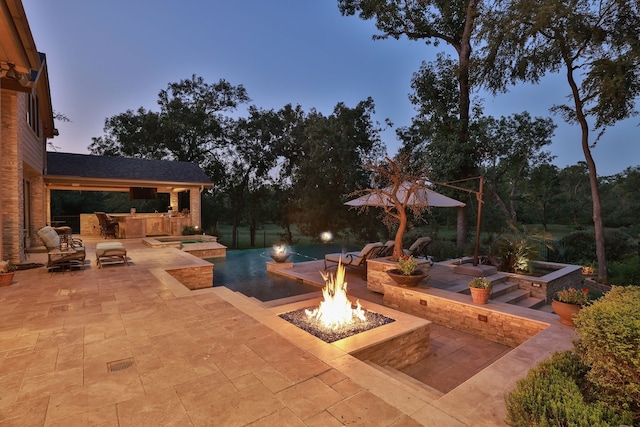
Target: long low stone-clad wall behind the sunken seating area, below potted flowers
479,320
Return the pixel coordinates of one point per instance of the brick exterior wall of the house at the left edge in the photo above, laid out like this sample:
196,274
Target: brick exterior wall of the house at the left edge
21,165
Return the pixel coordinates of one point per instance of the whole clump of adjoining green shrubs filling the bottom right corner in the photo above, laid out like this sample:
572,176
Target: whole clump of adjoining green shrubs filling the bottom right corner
598,384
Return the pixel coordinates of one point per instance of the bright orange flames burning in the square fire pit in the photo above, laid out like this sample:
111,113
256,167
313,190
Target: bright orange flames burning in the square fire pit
335,310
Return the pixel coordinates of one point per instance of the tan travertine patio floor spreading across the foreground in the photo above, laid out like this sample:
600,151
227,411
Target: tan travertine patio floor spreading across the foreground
131,346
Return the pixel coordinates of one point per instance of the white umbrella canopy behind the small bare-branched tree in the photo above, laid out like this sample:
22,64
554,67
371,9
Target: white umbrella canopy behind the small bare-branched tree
422,196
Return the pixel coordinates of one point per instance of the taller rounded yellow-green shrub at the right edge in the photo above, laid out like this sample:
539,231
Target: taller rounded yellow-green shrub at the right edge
609,343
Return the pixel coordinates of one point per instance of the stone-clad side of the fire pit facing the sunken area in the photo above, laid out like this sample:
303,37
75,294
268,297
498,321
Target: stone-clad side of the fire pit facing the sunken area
401,351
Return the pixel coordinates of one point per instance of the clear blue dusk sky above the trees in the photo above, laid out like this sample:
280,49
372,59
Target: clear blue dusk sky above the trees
107,57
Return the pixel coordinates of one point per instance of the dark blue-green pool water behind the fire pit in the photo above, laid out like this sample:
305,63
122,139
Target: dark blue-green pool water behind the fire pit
245,271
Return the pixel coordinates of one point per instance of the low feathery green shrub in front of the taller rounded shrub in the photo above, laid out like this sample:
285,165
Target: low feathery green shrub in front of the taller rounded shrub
550,395
